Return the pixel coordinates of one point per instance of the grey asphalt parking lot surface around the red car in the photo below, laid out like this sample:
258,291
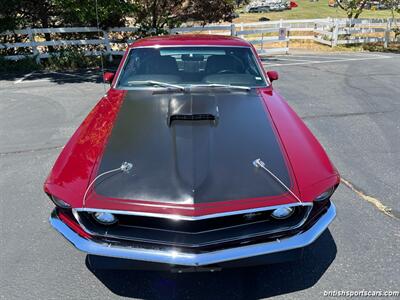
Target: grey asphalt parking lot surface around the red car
351,102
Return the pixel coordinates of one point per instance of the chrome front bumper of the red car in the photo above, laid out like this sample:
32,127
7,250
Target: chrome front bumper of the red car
189,259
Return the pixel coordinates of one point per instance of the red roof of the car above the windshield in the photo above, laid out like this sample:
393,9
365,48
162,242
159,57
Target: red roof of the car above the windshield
190,39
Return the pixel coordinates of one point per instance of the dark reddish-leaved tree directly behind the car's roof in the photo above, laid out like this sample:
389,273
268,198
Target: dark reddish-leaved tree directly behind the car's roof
157,16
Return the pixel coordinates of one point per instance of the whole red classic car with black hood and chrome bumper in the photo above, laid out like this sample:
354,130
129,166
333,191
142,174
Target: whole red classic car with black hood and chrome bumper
191,160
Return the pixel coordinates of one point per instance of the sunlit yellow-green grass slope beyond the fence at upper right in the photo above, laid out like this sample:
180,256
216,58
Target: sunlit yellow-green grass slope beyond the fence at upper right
310,10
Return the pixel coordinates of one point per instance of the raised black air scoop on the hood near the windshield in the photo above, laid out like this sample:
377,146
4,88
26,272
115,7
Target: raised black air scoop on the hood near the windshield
192,108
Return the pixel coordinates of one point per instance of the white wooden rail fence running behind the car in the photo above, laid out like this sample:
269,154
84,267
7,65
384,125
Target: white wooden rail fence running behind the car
268,37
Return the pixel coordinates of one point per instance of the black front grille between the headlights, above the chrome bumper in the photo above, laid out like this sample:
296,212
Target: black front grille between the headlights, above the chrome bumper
202,235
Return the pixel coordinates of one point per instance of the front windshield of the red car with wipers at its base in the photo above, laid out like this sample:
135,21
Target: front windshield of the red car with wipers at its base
191,66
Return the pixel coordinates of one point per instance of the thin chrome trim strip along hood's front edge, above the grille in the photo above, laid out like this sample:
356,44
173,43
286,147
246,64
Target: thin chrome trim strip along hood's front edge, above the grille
190,218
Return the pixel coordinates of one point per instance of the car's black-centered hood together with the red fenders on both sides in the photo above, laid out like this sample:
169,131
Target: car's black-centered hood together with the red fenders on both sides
186,166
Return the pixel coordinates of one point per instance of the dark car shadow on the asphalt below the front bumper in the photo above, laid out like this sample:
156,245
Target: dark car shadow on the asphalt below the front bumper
243,283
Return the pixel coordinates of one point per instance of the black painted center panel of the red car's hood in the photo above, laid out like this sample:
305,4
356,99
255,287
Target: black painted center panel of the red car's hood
192,148
